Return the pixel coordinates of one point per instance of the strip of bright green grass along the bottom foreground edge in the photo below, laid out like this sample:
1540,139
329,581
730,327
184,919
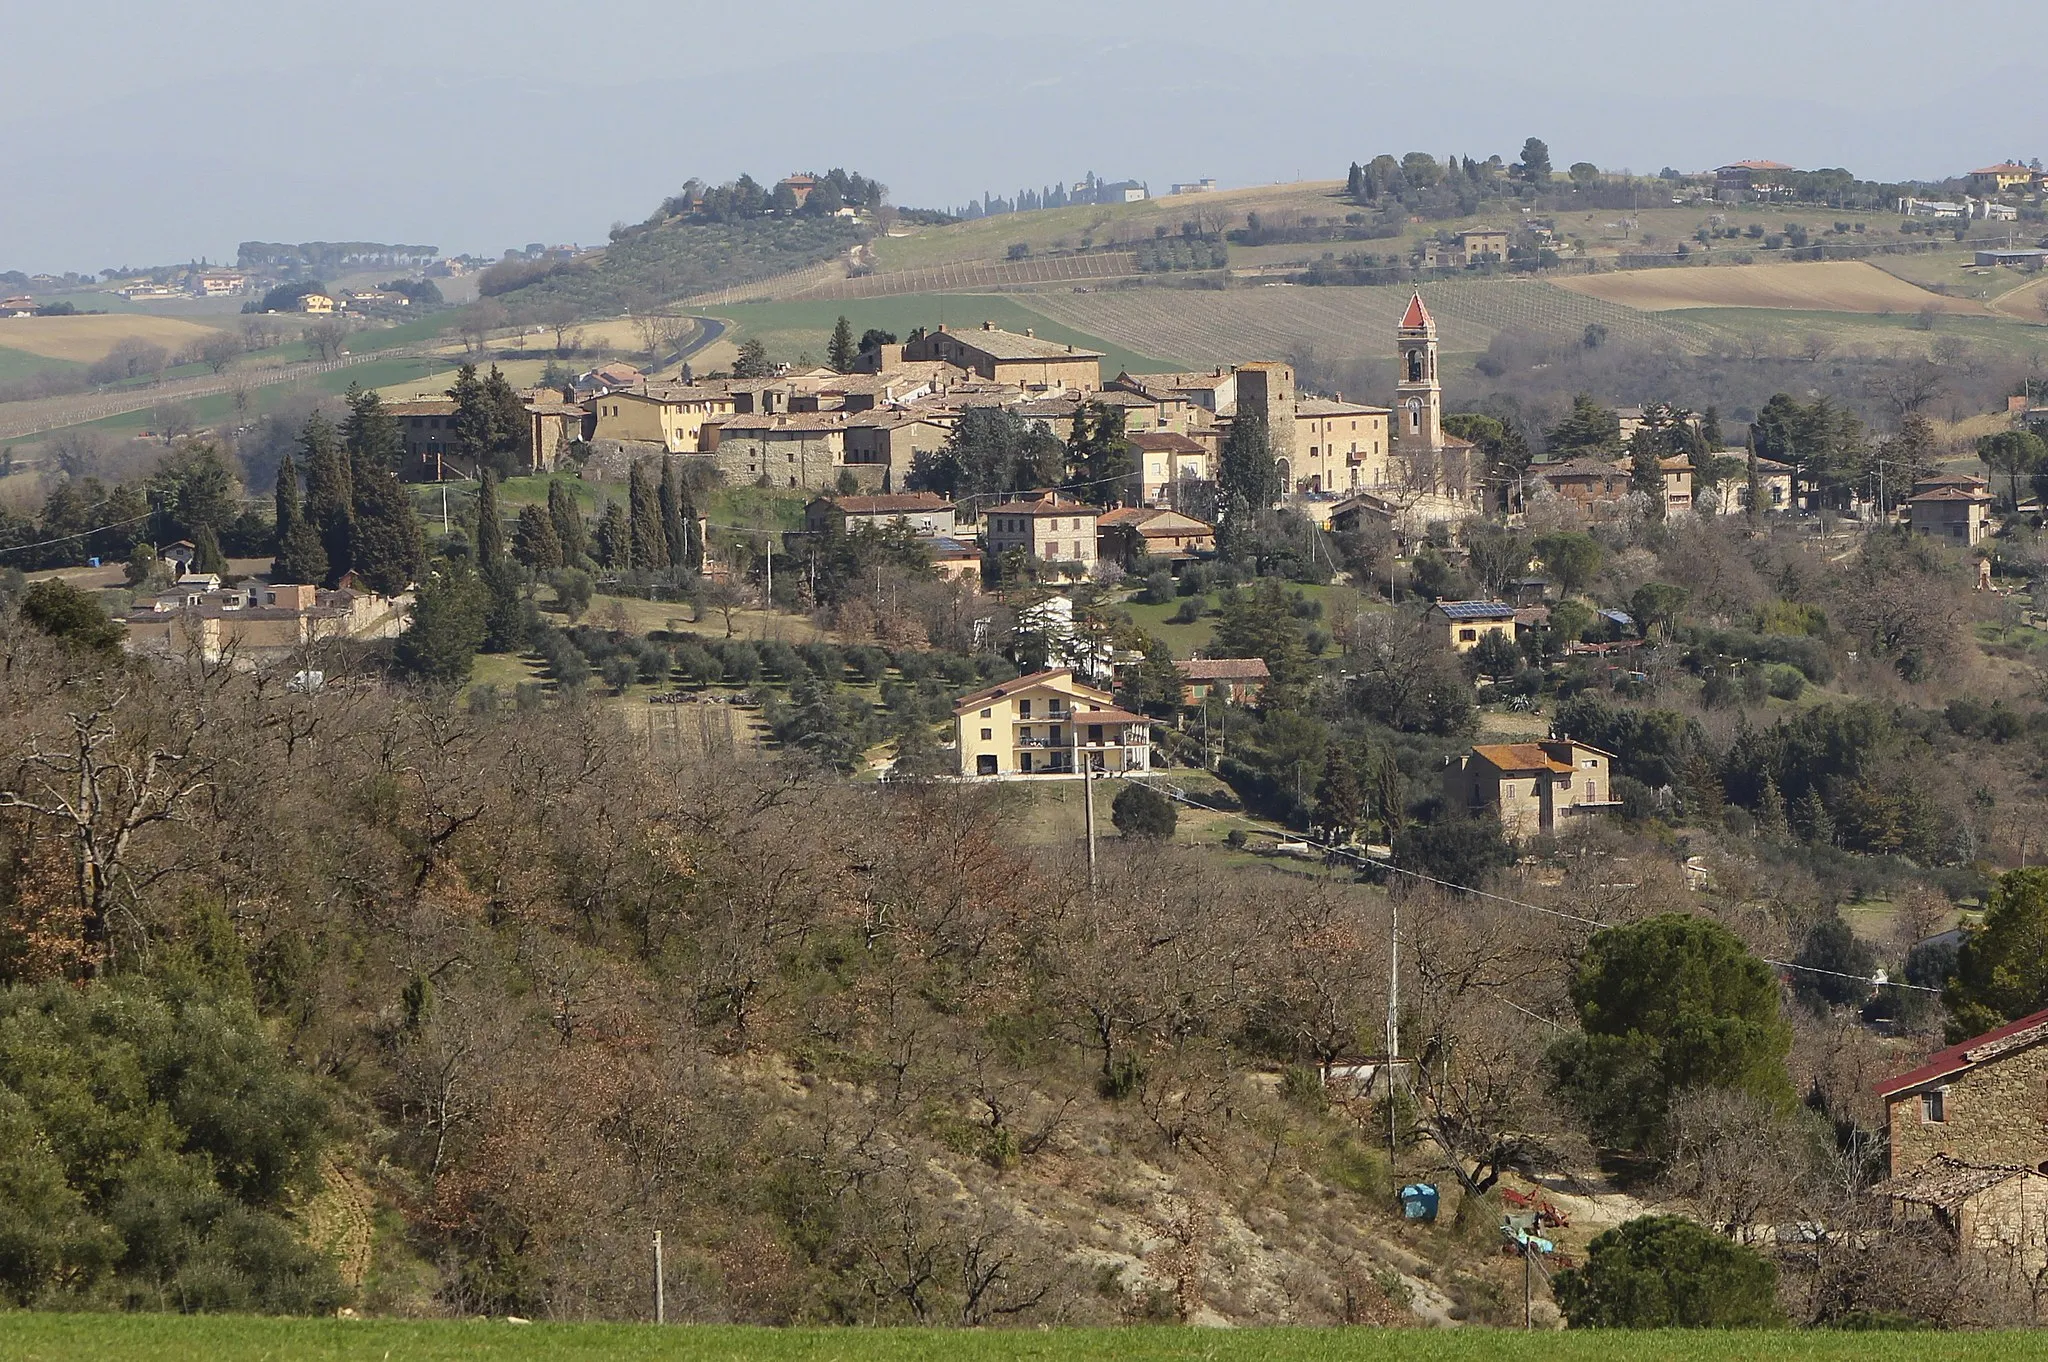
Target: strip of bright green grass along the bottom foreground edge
179,1338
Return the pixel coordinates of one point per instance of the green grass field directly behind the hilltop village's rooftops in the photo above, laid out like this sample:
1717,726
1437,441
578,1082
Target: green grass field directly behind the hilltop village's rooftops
794,331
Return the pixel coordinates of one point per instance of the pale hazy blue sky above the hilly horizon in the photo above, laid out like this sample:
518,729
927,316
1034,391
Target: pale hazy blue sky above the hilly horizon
138,132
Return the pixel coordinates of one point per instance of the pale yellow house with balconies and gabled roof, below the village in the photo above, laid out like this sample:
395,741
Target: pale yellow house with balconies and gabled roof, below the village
1043,726
